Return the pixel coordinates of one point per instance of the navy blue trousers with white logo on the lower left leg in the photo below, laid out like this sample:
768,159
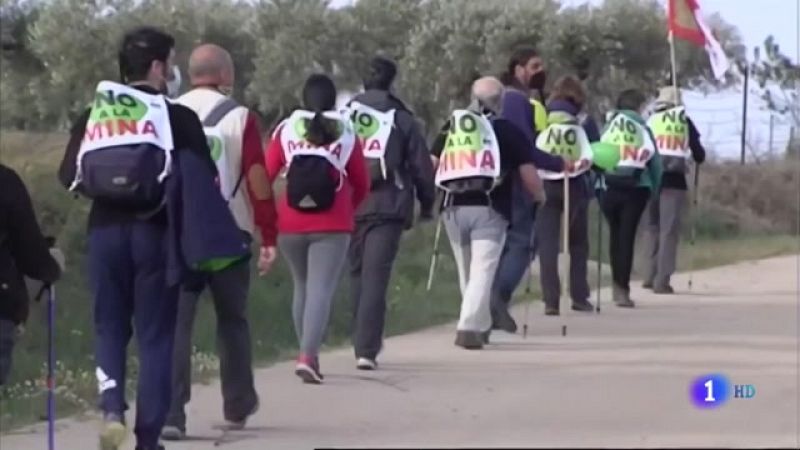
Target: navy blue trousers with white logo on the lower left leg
127,268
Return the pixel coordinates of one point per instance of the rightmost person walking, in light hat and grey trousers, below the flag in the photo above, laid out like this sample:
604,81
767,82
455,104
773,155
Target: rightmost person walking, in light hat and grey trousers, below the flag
677,140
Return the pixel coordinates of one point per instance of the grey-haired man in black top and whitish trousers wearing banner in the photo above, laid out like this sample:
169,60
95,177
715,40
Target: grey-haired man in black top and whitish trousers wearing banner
476,156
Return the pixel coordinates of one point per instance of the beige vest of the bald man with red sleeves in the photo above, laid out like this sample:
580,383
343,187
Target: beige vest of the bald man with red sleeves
202,101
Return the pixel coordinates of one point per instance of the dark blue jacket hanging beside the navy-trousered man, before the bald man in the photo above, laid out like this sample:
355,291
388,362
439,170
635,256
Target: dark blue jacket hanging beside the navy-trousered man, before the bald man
202,234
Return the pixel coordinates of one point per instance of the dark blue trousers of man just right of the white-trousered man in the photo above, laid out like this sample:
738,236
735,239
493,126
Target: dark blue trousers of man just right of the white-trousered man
519,249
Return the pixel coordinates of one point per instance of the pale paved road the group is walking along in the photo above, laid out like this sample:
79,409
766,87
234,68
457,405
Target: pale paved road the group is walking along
617,379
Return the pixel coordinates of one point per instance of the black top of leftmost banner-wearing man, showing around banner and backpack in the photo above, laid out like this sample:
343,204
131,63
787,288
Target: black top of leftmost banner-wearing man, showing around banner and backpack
187,133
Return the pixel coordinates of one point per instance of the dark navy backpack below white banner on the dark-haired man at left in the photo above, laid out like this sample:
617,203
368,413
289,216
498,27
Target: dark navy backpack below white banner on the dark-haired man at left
127,175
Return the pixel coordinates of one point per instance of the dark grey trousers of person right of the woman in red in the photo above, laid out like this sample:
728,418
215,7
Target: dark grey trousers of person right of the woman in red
372,253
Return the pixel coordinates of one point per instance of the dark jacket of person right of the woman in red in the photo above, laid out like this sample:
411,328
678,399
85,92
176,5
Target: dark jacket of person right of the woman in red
408,161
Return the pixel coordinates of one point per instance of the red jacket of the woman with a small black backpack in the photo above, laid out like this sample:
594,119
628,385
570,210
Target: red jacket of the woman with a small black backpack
340,217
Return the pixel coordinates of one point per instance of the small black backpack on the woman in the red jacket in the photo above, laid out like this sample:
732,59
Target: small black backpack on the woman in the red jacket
311,183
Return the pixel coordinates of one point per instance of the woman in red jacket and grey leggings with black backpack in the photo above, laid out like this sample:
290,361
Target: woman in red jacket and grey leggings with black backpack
326,180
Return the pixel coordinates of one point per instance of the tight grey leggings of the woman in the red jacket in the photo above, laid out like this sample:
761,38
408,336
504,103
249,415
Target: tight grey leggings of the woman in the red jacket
316,261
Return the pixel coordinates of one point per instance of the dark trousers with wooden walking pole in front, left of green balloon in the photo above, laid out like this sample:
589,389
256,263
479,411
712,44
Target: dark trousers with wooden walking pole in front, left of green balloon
548,237
